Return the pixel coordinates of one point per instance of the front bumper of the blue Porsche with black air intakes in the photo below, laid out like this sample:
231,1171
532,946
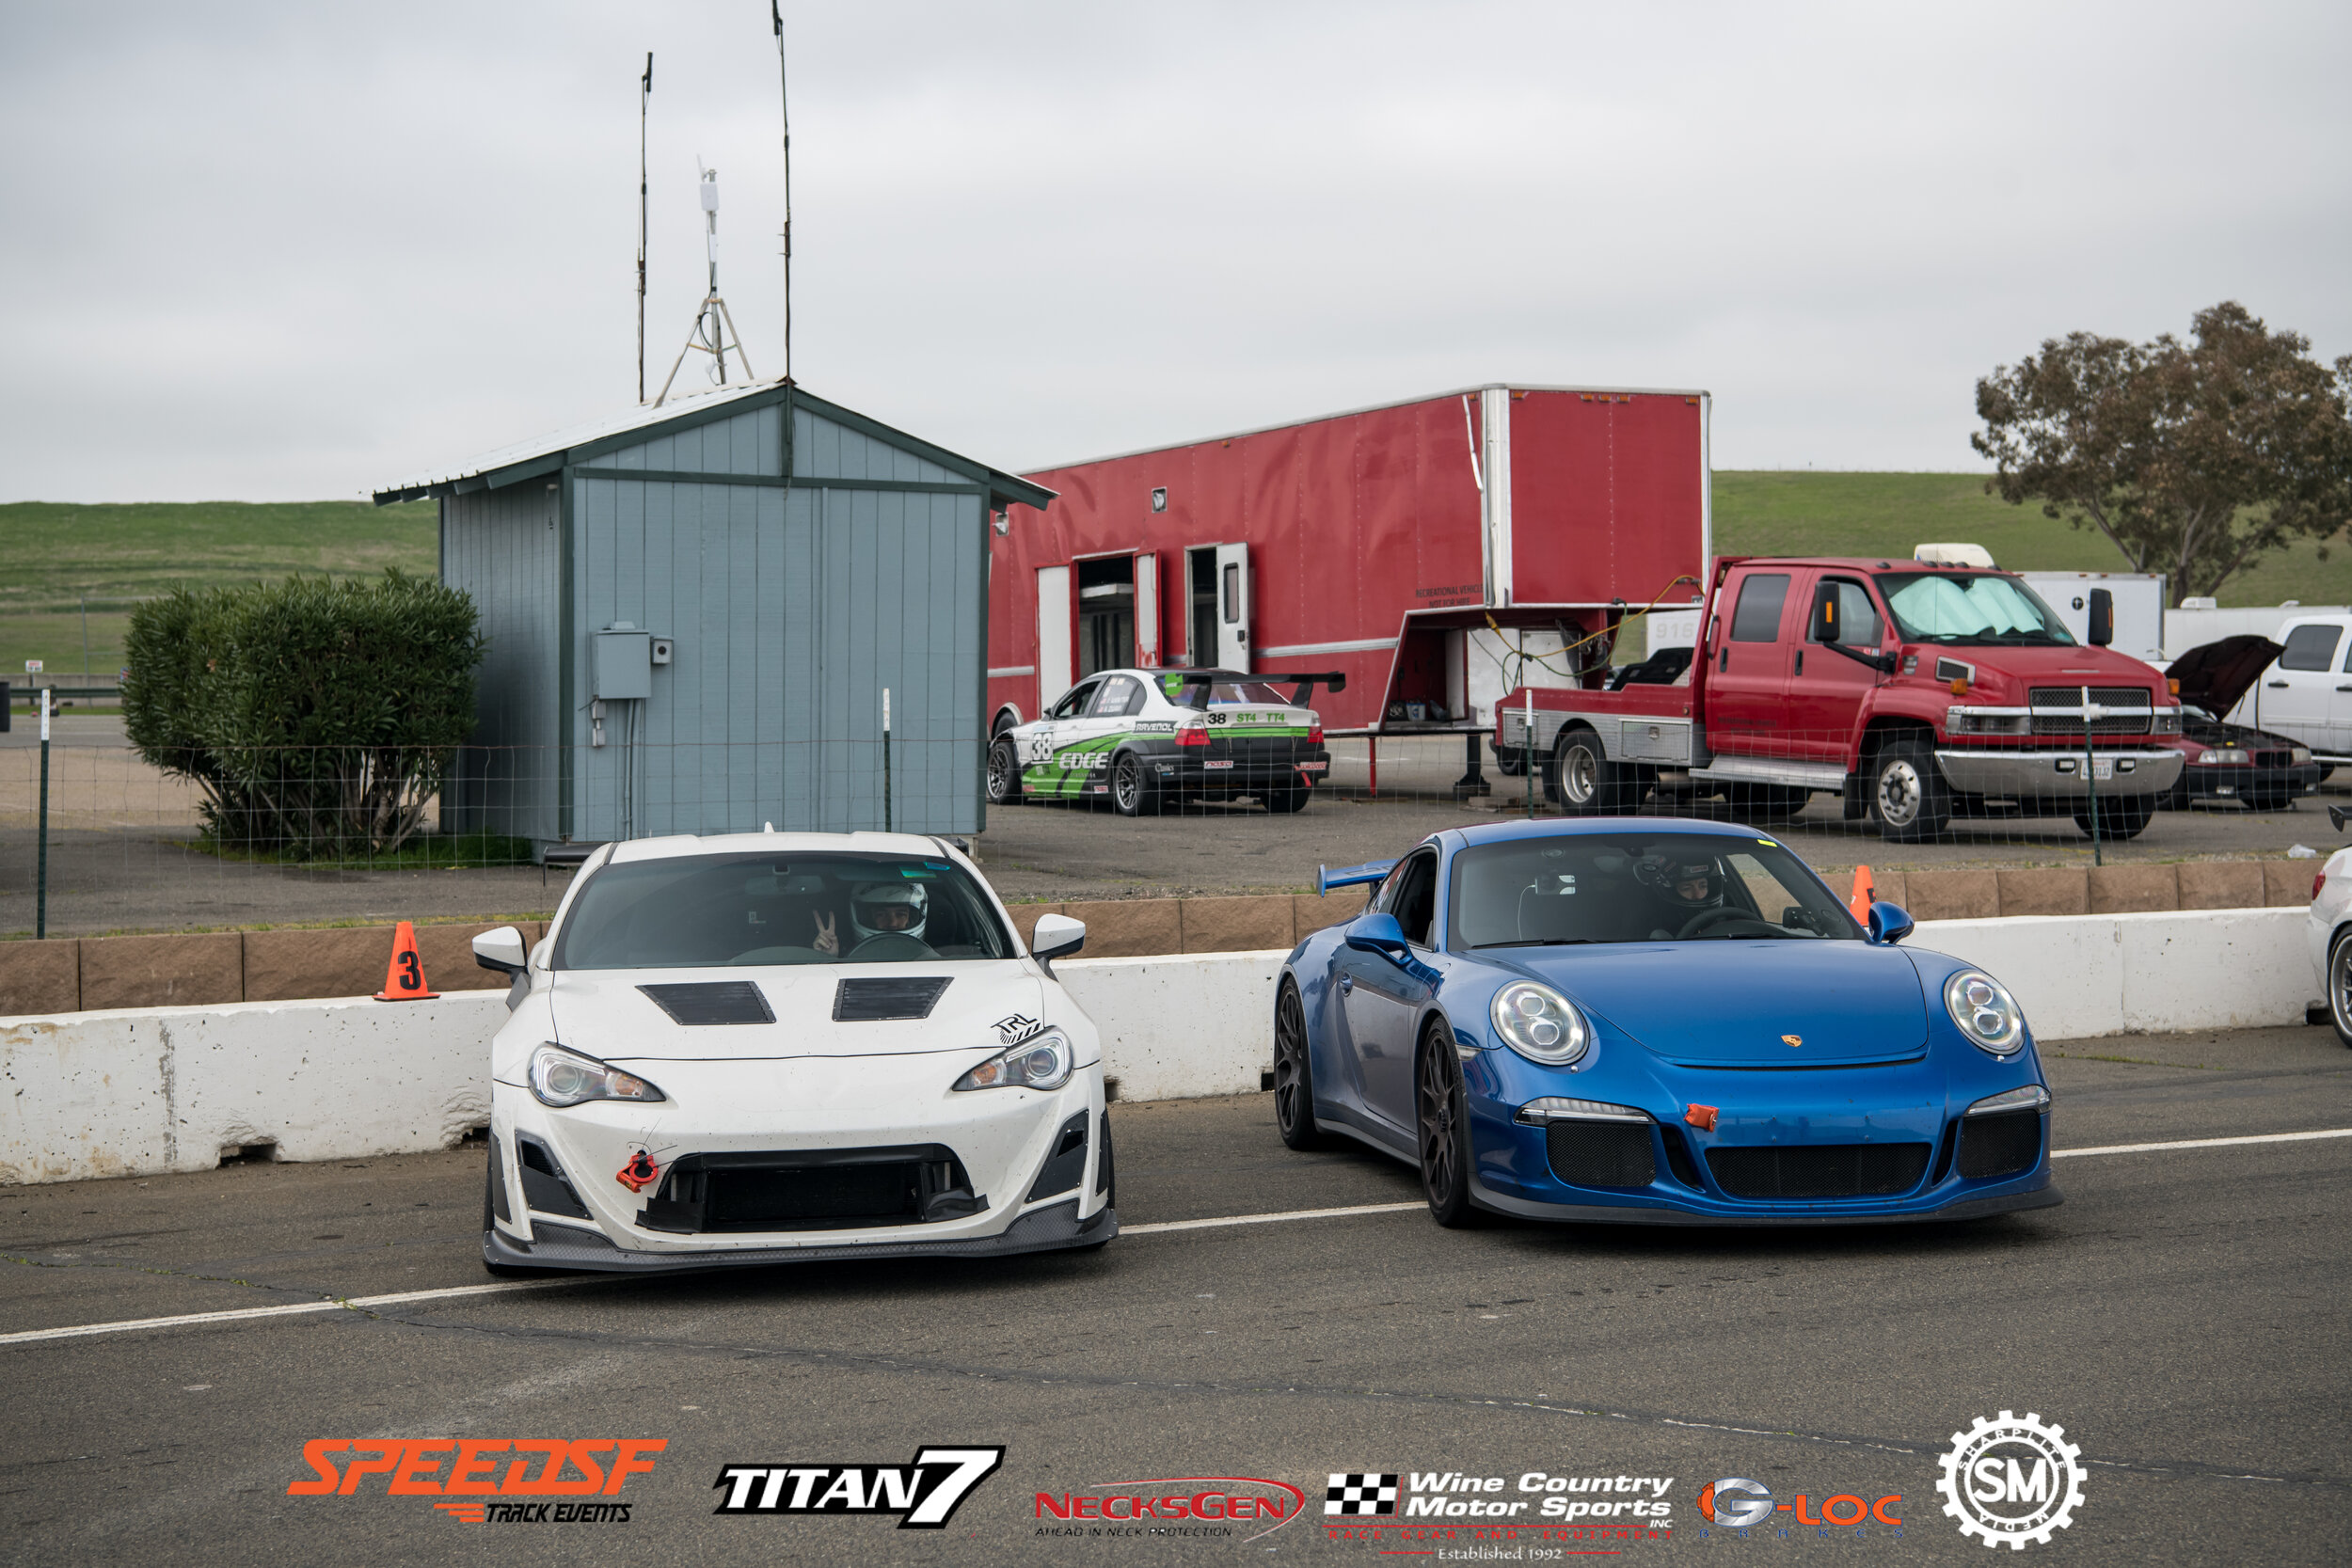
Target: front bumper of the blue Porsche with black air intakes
1906,1123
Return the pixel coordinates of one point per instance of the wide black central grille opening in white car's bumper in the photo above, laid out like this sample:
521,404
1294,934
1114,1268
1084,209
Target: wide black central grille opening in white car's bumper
813,1191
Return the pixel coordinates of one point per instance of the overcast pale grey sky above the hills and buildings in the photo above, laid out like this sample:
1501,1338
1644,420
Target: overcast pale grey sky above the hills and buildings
307,250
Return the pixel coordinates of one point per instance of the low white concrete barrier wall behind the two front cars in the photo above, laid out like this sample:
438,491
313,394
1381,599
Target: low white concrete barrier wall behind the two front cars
138,1092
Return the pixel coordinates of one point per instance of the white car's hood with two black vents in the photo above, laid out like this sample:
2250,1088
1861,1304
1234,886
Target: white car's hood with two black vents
610,1017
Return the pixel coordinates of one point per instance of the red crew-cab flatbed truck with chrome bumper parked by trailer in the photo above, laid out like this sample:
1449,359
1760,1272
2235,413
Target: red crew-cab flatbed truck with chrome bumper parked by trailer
1918,692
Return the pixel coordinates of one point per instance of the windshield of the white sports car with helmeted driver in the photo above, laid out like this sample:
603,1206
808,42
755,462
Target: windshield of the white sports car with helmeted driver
704,911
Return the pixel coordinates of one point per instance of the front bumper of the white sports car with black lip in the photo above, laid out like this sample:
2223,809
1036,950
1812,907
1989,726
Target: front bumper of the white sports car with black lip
728,1130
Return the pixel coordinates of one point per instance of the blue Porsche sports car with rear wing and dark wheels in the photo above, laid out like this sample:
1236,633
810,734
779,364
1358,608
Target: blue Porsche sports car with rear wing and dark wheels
1655,1021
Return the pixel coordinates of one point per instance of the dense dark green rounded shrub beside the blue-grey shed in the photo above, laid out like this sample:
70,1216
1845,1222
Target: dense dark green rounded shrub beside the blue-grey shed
319,718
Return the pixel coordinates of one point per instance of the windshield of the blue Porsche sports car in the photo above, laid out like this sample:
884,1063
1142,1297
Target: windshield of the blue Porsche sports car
1638,887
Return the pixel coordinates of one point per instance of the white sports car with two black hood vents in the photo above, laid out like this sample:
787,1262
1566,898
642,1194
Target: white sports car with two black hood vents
789,1047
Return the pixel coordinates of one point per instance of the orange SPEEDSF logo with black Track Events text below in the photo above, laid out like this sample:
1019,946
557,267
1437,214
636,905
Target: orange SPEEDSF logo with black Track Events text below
486,1480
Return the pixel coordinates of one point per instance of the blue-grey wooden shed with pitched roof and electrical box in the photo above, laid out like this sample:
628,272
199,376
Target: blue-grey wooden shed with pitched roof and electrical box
695,612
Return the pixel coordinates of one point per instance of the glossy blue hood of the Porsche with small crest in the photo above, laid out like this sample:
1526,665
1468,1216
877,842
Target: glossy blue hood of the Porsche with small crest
1735,1003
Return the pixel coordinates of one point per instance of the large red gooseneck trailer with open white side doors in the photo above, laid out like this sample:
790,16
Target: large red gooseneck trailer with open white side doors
1415,549
